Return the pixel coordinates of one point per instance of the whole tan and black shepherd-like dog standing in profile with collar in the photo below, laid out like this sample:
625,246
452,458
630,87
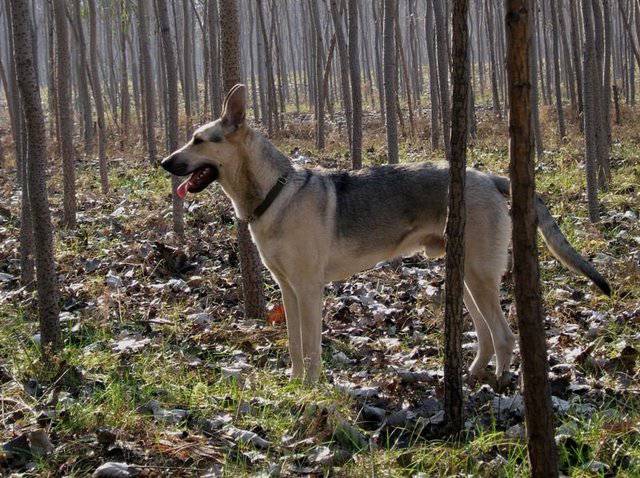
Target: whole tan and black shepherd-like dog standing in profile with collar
312,227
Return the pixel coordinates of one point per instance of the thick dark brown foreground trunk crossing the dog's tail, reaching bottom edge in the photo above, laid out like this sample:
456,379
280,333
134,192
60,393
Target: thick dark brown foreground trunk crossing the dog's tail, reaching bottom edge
533,347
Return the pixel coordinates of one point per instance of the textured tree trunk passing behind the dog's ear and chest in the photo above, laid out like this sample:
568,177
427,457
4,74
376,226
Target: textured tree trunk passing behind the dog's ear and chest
250,265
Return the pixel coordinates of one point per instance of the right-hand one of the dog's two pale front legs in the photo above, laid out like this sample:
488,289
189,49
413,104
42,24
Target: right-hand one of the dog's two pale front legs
310,305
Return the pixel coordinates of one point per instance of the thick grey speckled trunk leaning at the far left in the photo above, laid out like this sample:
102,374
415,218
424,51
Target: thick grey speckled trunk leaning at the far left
47,282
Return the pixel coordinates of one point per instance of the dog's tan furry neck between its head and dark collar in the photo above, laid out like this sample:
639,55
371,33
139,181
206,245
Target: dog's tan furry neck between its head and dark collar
258,172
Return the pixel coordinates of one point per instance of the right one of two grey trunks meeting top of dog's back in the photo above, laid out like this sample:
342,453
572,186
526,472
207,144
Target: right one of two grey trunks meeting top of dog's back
390,79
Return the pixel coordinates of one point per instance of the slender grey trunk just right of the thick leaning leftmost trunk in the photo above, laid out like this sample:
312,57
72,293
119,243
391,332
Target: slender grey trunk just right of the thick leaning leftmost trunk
65,114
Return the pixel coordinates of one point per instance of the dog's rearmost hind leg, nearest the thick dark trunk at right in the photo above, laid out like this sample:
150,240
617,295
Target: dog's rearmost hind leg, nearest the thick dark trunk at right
485,292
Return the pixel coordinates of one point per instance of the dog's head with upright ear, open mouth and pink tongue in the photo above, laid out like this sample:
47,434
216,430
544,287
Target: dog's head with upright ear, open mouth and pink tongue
216,149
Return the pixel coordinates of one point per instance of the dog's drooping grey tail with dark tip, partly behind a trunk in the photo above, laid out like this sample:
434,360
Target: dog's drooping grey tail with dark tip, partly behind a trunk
556,241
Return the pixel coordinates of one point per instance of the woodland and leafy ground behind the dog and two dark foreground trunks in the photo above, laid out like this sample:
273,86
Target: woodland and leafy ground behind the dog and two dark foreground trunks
171,356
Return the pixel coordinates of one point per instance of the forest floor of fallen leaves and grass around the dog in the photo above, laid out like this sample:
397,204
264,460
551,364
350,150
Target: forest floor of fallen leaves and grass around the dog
161,371
